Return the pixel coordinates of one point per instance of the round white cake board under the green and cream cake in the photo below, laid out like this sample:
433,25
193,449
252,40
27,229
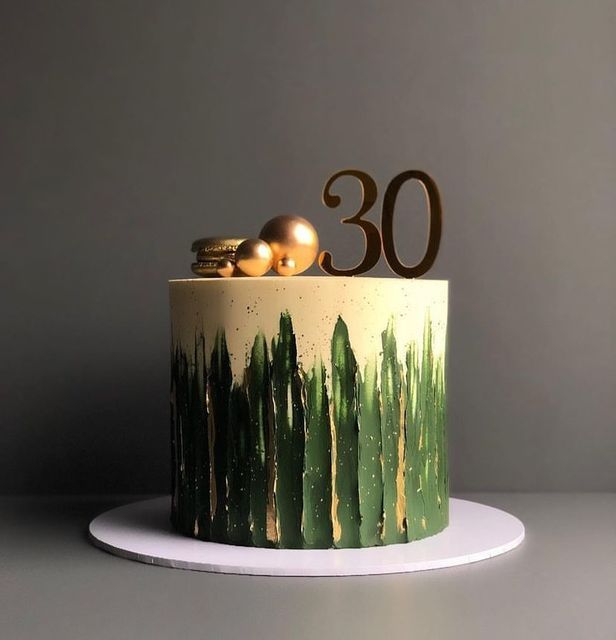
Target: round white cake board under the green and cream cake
141,531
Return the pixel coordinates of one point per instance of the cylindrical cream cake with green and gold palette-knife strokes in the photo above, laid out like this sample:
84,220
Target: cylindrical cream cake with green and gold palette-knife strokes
309,412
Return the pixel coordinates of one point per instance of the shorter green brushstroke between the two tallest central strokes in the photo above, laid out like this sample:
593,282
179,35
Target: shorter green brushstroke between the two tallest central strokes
317,526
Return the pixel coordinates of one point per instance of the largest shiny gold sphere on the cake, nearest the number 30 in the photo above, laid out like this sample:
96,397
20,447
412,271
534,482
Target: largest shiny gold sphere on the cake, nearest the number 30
294,238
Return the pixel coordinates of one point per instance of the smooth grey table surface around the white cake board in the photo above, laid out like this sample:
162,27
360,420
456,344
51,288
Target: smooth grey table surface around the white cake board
560,583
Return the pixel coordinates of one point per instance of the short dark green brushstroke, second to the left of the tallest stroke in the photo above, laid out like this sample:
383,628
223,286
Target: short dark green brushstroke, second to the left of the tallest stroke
239,467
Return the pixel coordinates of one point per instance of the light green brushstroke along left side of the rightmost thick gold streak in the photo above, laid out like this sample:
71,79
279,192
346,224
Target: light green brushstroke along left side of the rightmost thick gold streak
390,425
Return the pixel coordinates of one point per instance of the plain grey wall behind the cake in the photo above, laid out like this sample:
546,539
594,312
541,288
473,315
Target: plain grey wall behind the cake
130,128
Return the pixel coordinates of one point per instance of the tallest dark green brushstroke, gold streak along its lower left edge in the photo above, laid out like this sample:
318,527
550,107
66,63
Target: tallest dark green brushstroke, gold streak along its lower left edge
289,429
